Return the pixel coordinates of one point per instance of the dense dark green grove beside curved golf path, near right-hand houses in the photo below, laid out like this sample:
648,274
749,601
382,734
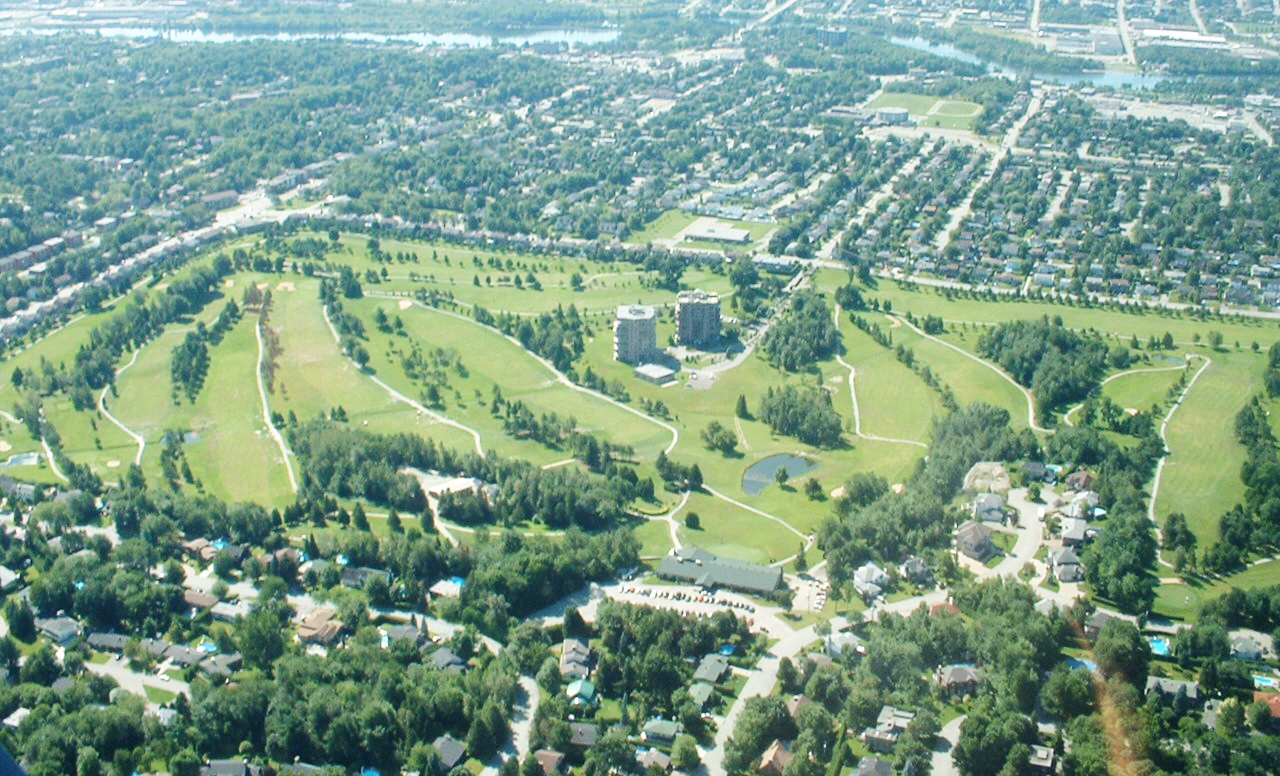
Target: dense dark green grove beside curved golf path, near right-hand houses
1054,362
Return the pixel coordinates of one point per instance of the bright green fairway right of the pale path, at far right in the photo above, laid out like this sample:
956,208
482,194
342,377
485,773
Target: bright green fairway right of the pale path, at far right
1203,474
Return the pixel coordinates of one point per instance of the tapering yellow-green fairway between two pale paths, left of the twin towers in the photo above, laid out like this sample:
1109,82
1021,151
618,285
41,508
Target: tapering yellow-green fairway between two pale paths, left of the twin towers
313,376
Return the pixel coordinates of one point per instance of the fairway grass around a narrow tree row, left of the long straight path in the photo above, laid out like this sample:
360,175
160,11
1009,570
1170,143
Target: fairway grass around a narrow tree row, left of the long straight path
235,458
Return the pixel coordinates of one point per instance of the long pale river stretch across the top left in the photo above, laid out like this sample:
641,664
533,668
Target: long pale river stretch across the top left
464,40
